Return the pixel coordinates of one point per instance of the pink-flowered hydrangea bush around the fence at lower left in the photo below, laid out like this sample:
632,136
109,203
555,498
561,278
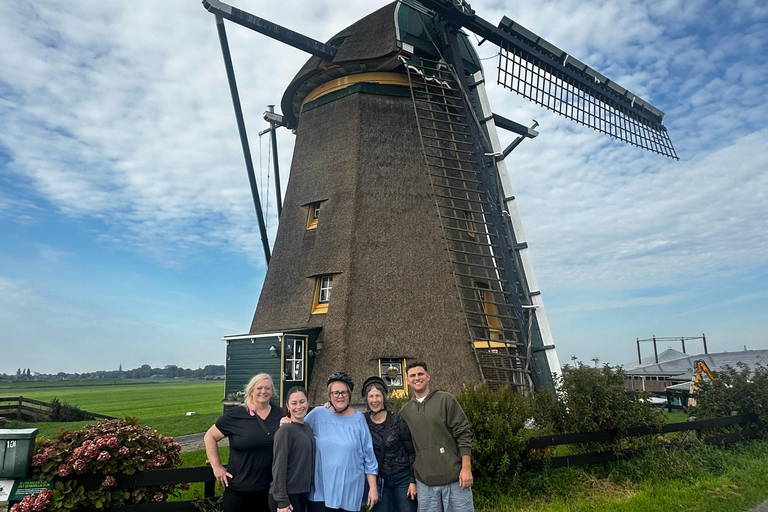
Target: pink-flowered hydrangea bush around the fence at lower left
107,448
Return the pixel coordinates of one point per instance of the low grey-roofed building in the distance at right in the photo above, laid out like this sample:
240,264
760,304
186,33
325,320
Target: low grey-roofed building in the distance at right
675,367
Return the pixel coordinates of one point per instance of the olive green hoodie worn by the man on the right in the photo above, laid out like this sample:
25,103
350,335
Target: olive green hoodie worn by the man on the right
441,435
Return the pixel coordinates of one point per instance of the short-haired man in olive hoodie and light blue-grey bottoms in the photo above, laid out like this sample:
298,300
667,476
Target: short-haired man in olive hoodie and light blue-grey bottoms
443,441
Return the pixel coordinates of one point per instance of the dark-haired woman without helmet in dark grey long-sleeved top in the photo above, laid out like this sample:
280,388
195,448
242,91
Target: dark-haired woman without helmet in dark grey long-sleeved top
294,463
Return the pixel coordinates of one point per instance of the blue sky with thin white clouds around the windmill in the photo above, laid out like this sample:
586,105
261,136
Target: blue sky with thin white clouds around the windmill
128,234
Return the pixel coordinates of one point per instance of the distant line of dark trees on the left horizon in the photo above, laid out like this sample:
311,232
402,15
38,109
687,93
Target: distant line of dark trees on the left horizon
144,371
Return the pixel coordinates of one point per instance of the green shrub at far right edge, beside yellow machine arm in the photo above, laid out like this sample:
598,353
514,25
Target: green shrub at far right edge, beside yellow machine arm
741,390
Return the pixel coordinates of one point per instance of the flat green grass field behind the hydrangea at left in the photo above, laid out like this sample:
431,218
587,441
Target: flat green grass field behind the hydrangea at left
161,404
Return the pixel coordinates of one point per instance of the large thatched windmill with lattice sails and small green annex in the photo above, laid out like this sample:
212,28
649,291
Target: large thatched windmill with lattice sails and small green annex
399,237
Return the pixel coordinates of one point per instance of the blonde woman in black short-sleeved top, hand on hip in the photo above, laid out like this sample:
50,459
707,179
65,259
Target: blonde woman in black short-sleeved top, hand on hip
250,430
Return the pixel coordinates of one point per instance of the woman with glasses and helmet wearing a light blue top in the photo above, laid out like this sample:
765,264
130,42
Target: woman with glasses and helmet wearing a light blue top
344,457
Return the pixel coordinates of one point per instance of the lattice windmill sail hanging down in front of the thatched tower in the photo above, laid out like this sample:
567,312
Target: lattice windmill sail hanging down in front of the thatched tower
464,189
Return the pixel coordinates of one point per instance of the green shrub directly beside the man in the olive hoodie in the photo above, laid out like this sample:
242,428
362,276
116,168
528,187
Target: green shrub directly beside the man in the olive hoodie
498,420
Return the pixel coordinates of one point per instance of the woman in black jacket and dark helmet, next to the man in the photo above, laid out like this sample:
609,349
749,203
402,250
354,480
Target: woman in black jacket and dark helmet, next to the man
394,450
